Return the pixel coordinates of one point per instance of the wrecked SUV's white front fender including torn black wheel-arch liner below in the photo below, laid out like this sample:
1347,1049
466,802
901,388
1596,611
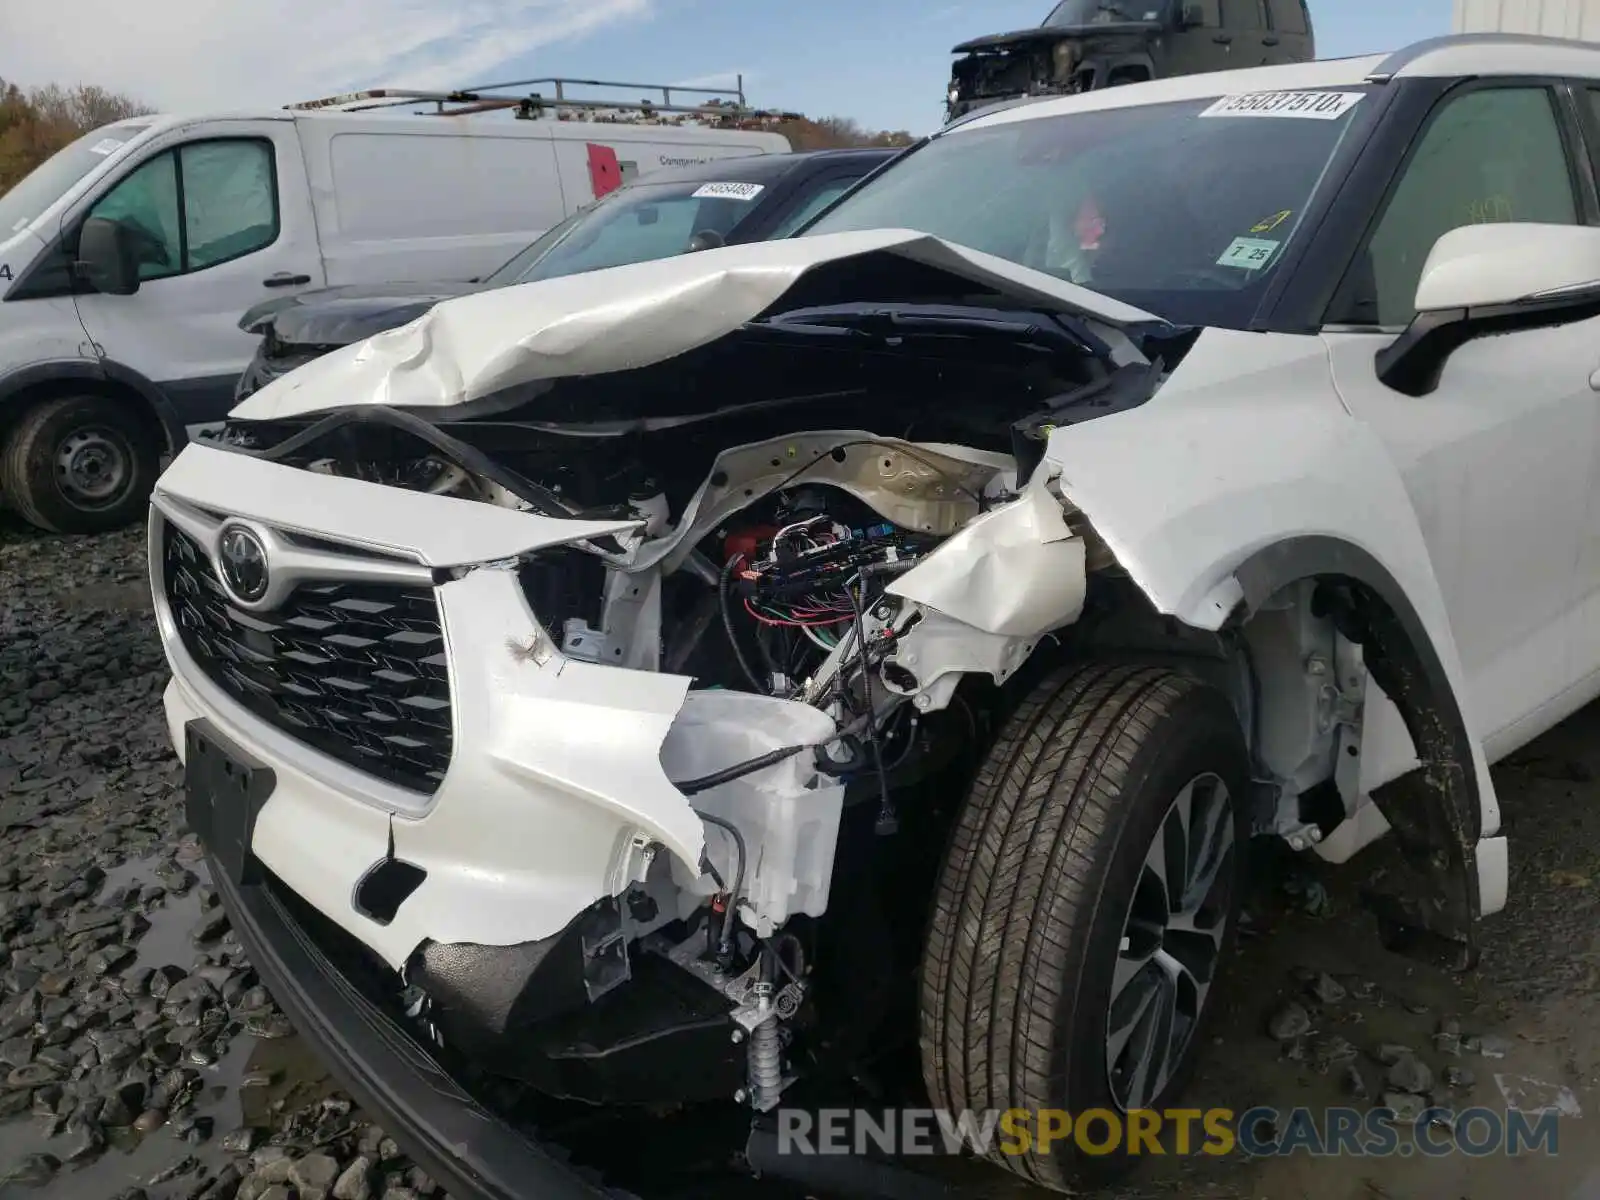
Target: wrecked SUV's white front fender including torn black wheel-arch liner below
1231,484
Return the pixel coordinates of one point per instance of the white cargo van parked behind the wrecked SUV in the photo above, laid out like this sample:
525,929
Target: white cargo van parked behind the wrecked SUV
127,260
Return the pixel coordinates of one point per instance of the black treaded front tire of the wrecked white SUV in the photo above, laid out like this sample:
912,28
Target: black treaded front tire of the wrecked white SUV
1039,881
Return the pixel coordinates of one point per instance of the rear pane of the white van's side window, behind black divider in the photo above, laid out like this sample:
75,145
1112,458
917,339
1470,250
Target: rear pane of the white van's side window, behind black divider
231,204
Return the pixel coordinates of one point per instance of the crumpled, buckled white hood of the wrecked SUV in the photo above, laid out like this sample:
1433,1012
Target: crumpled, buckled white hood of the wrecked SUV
628,318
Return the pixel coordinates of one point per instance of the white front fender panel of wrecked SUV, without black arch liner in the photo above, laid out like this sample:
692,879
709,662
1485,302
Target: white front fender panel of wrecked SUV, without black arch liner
1225,462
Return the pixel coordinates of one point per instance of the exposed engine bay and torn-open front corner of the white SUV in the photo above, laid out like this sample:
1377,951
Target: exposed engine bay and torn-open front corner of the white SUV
788,502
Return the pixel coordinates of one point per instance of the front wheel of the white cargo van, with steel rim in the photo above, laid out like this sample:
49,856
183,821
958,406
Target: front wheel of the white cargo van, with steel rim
81,465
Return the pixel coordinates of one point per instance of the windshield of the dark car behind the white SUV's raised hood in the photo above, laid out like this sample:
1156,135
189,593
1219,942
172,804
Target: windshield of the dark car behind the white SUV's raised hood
634,225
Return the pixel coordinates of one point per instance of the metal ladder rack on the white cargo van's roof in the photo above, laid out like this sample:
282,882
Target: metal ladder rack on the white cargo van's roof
724,106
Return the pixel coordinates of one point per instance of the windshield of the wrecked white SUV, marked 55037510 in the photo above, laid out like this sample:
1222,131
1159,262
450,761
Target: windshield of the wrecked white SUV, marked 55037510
1183,210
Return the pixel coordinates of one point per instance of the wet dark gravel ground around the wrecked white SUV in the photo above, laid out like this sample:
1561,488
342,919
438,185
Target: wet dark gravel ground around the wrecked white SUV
142,1058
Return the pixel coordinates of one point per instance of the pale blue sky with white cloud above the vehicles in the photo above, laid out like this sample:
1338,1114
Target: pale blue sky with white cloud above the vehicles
882,62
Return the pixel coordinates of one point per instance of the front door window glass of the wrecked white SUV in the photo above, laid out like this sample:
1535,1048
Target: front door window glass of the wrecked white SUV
1490,156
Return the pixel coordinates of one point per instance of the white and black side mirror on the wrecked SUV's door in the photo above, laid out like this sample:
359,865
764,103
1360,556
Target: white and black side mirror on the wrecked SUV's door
1492,279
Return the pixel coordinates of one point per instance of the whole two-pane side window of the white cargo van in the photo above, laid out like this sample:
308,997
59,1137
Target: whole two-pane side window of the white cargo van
198,206
